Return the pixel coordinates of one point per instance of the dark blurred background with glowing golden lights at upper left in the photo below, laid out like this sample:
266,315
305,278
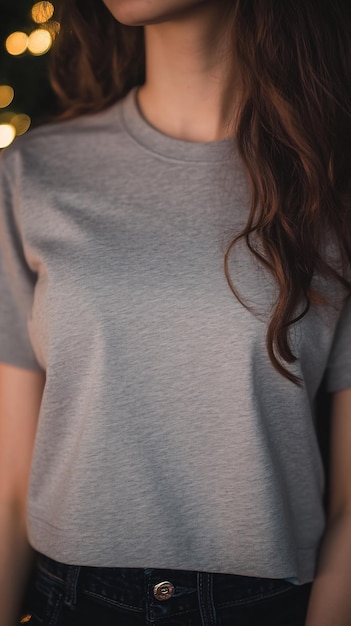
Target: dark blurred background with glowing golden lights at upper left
27,32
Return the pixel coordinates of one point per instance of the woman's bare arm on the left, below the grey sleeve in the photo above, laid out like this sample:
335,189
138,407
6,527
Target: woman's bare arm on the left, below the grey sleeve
20,397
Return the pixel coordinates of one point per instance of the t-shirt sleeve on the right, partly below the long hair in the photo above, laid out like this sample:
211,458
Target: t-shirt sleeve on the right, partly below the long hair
339,363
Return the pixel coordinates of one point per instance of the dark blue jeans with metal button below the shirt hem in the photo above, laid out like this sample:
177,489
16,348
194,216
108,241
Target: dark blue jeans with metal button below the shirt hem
67,595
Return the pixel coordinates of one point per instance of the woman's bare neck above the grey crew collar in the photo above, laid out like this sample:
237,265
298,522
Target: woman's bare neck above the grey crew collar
189,92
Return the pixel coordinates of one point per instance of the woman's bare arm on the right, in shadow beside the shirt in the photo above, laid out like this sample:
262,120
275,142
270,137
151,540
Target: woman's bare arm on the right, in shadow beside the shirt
330,603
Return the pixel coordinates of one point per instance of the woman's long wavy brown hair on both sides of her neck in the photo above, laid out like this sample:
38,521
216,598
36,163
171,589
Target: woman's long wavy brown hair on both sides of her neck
293,130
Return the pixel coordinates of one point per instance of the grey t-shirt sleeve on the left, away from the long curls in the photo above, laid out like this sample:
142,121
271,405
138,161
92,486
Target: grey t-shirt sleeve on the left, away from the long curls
17,282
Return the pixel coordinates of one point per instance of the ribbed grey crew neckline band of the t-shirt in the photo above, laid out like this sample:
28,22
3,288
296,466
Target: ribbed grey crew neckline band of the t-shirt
159,143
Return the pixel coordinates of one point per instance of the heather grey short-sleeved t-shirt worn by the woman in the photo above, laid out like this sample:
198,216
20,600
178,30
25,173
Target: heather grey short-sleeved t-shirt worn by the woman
166,438
